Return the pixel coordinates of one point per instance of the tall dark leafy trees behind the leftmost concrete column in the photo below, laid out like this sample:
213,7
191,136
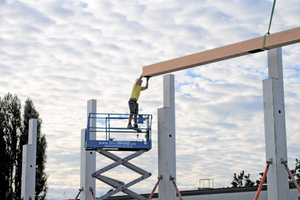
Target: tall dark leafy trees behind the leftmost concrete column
13,135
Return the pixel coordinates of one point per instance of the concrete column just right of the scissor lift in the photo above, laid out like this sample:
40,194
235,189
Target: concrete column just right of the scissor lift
166,141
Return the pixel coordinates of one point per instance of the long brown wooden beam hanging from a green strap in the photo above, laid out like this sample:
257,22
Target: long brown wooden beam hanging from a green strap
255,45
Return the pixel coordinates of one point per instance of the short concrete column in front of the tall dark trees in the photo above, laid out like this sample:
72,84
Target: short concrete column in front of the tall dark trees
29,163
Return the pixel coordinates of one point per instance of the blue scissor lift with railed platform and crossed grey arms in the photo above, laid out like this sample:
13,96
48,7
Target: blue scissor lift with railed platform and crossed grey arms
113,136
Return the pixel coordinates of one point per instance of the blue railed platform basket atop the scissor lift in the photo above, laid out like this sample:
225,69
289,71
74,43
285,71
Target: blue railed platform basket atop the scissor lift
113,134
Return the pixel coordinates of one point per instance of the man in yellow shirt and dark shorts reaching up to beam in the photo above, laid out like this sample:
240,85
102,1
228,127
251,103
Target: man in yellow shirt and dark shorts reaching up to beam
133,105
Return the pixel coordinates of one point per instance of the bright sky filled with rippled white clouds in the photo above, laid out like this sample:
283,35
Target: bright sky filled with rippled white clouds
62,53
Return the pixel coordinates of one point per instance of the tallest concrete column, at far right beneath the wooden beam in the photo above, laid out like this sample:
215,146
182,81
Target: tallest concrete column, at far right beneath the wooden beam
275,131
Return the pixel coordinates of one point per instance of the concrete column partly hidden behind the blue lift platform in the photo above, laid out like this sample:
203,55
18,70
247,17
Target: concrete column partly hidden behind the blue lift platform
88,159
